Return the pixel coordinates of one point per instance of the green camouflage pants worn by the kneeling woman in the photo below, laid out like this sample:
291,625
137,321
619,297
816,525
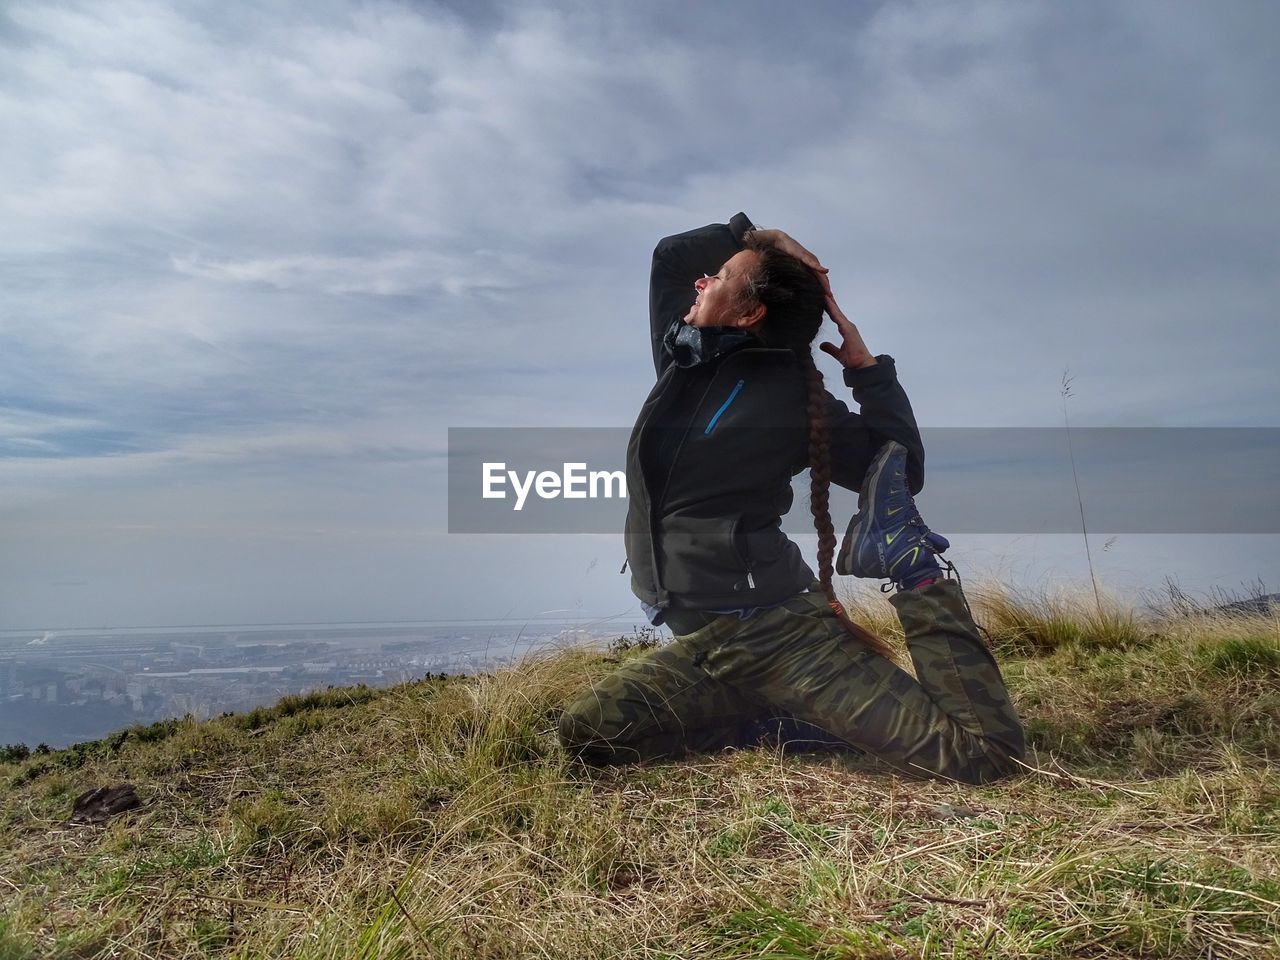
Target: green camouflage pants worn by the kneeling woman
703,691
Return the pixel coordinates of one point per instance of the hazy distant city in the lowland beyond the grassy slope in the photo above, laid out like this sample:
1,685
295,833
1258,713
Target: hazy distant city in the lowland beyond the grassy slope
60,688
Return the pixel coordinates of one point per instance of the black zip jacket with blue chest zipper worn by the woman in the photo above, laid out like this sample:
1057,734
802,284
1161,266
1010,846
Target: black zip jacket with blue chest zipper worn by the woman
708,534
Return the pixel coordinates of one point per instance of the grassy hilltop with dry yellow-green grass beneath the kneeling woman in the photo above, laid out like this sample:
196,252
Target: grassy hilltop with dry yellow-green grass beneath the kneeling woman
441,820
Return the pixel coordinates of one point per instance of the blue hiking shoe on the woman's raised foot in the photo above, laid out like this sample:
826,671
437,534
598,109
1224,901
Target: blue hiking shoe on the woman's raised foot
888,538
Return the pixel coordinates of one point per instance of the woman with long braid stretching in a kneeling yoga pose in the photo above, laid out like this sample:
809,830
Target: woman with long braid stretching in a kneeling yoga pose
739,409
